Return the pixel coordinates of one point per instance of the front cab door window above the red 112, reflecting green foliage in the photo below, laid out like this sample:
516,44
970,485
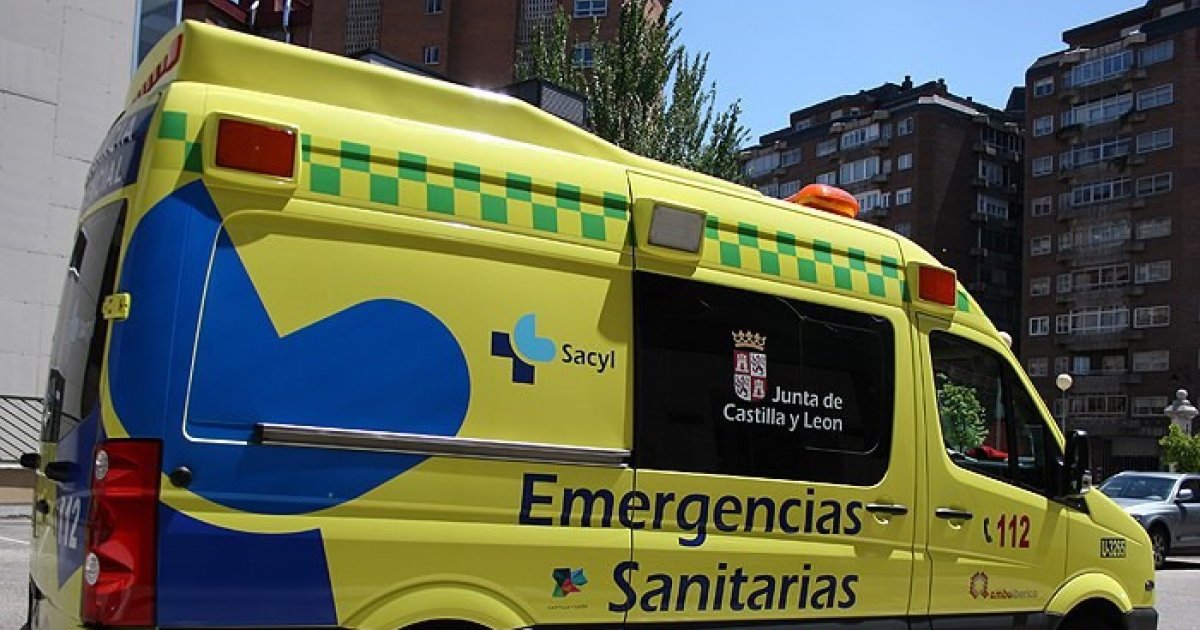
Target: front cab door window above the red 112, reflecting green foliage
988,421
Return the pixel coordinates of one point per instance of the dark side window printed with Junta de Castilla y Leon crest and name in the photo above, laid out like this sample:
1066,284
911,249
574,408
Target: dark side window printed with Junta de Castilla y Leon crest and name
741,383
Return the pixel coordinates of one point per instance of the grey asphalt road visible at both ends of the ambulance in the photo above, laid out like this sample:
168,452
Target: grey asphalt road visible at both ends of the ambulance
1178,584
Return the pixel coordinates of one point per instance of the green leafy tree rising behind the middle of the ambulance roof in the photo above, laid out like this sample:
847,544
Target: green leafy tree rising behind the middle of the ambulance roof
628,97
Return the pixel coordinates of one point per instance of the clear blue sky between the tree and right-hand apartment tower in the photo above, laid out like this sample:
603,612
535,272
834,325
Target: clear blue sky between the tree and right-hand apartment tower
783,56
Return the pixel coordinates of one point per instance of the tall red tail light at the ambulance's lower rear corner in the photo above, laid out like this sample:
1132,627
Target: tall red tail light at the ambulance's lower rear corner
119,569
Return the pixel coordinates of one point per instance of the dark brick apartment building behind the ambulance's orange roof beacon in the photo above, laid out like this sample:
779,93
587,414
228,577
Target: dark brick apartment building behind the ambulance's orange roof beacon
939,169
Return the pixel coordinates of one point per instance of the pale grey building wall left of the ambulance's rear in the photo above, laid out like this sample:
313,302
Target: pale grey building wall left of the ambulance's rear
64,69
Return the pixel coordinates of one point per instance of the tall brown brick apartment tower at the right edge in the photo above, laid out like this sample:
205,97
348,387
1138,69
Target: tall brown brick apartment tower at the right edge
1112,232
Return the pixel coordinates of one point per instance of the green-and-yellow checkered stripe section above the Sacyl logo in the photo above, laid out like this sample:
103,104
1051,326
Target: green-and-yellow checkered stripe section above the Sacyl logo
397,178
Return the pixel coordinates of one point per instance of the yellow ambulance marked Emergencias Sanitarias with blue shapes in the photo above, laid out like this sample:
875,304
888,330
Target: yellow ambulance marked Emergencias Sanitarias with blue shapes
343,347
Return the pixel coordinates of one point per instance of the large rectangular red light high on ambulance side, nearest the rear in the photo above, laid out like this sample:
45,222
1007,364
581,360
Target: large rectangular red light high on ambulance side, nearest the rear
256,148
